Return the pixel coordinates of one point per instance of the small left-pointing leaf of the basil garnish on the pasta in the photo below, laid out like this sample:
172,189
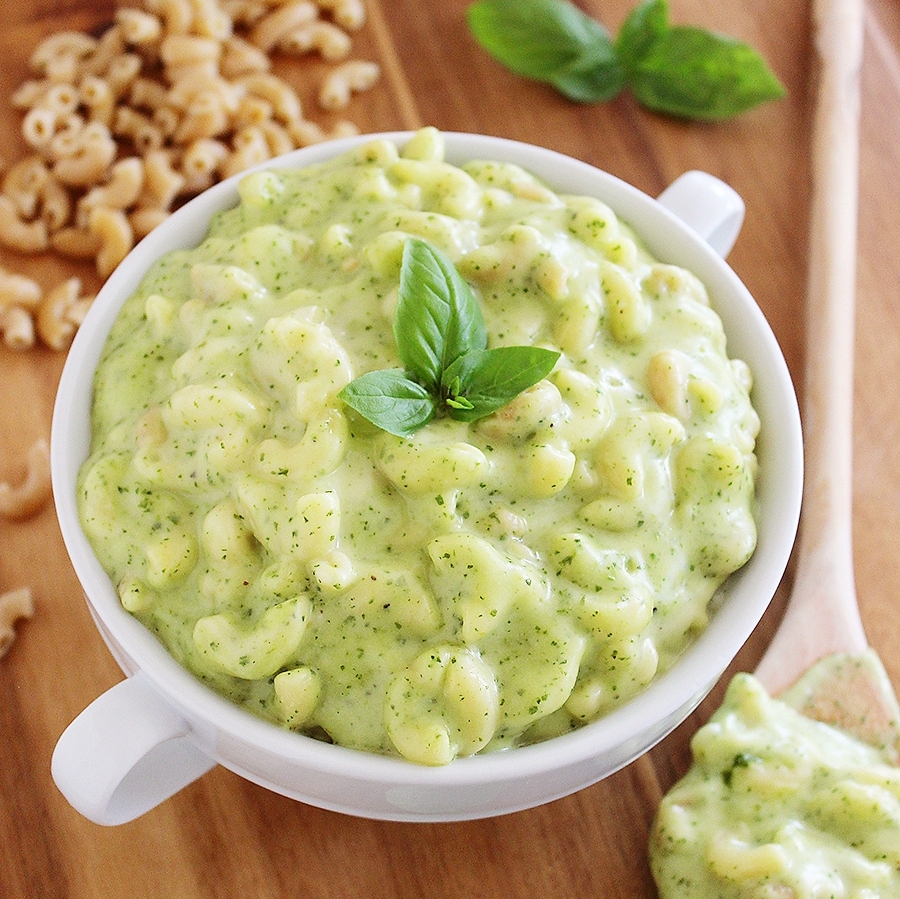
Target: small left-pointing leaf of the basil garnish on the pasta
390,400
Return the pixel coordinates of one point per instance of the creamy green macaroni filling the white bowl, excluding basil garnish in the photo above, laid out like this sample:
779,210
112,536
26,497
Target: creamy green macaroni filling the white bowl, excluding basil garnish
477,585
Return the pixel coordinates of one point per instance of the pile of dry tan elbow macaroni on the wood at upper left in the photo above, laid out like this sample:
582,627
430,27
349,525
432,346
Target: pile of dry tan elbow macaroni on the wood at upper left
173,96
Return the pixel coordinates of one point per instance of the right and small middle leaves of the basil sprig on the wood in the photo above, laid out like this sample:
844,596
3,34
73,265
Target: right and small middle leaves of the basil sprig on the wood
690,72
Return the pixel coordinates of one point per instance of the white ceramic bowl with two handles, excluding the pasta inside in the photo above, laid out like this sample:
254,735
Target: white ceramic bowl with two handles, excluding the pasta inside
161,728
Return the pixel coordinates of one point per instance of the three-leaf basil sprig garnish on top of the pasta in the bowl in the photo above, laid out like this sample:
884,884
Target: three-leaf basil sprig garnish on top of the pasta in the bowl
442,343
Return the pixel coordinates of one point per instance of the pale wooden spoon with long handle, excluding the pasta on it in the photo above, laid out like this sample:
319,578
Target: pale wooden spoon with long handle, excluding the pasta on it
821,637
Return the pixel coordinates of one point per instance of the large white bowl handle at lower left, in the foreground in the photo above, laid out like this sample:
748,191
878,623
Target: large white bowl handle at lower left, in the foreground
125,753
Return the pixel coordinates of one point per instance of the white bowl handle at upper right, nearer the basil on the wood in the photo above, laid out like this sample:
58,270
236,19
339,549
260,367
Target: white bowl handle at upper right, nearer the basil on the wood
708,206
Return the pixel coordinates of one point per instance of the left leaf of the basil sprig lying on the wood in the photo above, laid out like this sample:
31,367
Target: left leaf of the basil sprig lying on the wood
551,41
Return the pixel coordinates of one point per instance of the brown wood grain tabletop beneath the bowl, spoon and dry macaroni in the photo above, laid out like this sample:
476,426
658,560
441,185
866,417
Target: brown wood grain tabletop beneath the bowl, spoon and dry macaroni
224,837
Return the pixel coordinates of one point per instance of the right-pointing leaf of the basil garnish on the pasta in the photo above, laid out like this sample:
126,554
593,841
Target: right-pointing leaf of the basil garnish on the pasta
483,381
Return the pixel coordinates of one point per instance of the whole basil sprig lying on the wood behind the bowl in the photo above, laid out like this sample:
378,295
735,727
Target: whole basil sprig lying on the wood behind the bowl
678,70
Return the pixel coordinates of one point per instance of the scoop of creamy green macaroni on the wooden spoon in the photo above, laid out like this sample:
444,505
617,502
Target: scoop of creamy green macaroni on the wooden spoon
778,806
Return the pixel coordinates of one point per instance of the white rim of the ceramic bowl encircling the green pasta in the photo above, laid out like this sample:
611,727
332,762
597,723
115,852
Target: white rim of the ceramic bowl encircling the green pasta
680,687
